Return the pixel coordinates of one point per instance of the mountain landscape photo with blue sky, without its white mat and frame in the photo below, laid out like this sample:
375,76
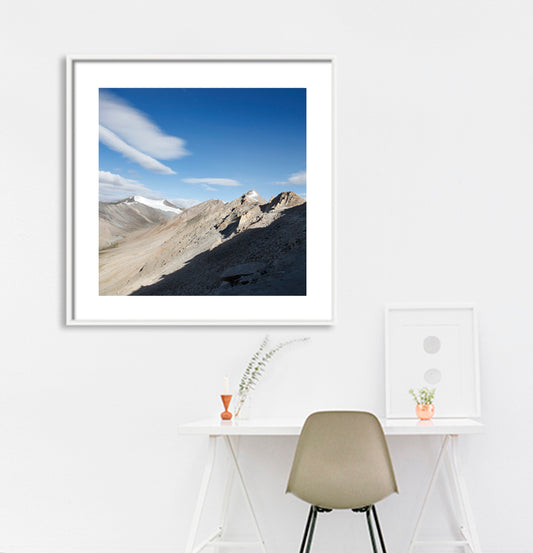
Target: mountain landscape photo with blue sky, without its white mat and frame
241,232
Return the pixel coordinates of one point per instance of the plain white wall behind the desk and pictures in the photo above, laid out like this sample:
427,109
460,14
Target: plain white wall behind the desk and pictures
435,130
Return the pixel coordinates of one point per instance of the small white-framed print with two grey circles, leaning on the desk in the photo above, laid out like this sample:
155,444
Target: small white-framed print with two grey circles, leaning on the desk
433,346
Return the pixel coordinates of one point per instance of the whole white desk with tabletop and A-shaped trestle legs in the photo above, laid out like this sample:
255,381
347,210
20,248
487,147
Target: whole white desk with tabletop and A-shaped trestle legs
231,431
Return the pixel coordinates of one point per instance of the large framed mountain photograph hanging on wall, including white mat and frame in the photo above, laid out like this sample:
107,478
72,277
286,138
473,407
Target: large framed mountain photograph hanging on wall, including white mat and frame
199,190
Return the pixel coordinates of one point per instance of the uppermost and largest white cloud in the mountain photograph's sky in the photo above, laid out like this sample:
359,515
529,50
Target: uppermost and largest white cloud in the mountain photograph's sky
136,129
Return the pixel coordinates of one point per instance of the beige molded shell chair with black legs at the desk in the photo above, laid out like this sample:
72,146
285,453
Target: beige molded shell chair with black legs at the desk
342,462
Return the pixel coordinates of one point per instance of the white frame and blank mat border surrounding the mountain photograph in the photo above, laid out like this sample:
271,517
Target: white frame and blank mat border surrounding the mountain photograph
85,75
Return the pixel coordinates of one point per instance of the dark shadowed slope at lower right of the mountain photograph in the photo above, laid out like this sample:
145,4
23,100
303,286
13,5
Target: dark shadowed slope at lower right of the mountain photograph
280,250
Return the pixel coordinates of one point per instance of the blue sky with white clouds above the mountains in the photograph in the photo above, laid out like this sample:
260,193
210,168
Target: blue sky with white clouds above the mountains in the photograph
201,143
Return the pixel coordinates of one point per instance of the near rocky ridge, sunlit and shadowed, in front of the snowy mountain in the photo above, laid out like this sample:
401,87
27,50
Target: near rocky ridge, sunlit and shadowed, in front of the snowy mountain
144,261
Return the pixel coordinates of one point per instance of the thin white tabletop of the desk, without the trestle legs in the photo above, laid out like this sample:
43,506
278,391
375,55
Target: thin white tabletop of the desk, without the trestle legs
292,427
